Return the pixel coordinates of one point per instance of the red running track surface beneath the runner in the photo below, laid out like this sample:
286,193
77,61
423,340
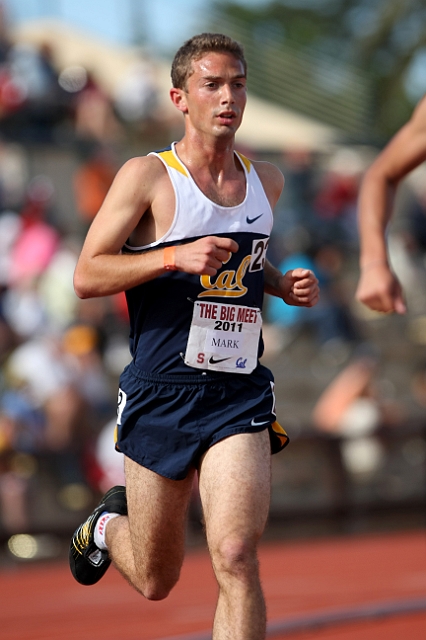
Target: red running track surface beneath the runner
314,590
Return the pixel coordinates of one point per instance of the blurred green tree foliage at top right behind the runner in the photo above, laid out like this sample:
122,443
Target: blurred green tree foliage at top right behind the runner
374,43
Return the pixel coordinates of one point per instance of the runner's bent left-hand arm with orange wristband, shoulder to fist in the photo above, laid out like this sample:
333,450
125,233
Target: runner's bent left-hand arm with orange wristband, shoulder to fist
103,270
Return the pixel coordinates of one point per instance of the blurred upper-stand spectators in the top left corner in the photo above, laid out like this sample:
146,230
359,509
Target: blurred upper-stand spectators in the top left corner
41,103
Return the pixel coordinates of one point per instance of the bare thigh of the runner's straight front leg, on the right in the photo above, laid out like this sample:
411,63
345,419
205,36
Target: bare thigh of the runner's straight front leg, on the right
235,481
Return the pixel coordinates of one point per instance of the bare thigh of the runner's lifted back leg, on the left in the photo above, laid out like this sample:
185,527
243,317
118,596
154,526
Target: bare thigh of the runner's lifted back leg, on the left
157,510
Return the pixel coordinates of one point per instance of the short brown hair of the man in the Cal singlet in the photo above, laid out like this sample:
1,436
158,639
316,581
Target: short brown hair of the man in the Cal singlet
196,48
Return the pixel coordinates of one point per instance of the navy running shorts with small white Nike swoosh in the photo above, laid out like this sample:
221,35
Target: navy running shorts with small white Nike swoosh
166,423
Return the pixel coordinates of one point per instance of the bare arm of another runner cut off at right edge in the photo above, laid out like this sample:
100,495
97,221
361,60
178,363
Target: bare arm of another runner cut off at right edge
378,286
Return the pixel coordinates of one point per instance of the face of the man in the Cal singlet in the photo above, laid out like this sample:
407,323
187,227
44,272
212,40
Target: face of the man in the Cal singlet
216,94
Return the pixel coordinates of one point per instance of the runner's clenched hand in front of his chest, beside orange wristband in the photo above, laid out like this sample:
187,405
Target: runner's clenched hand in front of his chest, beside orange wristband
205,256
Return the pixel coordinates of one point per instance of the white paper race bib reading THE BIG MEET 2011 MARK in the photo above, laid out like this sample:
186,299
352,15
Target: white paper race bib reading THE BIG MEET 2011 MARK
224,337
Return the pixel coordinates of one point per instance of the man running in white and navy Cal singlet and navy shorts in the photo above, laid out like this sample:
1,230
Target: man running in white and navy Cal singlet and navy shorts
184,232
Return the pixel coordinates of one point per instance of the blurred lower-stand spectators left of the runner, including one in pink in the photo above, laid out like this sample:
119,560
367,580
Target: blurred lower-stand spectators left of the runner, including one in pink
59,356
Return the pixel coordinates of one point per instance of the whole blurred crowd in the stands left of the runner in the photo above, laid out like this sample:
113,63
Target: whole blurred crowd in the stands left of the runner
59,357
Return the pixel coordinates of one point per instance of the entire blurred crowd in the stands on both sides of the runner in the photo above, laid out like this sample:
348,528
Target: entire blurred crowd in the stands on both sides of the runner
60,357
